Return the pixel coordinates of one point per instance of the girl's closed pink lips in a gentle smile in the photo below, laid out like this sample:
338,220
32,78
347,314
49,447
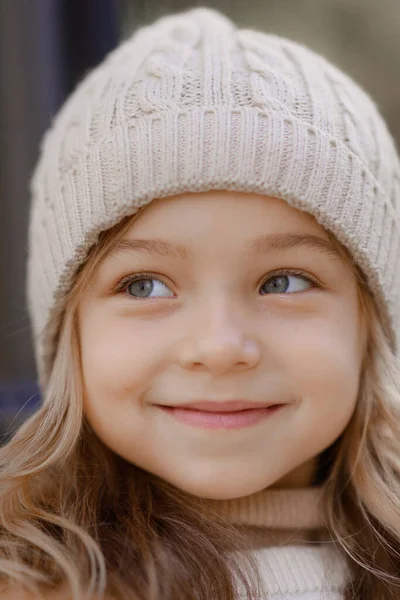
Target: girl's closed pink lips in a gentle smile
222,415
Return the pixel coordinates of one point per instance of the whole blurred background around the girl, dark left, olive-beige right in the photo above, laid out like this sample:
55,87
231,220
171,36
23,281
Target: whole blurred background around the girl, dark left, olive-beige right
46,47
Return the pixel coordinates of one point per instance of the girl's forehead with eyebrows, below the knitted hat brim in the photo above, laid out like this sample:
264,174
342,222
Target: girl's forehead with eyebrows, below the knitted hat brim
177,226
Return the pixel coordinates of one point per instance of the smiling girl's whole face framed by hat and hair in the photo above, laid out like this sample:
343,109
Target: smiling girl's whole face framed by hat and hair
222,297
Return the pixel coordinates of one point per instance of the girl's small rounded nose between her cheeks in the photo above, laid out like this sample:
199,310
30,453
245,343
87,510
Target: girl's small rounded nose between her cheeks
219,341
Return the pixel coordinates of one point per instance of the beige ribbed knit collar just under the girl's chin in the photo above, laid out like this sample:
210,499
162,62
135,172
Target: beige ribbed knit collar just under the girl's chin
272,508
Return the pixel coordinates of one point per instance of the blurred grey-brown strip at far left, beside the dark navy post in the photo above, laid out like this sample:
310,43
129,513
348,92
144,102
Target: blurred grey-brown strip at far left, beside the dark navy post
31,89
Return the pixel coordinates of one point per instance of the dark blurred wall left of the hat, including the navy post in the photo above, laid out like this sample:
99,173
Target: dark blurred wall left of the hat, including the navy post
45,48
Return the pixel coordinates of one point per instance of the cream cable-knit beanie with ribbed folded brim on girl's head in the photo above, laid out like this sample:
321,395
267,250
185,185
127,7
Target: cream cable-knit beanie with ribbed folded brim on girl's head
192,103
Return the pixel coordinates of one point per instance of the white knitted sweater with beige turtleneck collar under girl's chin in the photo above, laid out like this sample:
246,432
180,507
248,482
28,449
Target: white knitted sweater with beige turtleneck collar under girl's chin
281,524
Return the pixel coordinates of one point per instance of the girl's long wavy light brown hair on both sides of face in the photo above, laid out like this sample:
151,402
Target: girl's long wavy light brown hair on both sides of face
76,516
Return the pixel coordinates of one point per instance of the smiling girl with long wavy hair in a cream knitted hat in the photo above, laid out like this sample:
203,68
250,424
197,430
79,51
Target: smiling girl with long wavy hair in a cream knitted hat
214,290
